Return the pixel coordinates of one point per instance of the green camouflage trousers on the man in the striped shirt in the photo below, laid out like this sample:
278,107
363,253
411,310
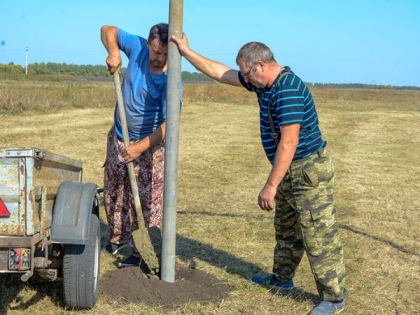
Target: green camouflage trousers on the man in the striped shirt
304,221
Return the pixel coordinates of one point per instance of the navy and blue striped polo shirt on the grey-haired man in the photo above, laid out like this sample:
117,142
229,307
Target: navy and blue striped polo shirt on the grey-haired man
290,101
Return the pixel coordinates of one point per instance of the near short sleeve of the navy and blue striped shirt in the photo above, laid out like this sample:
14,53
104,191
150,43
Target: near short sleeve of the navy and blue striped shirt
288,104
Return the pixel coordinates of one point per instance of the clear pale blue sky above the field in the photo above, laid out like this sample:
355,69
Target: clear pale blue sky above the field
337,41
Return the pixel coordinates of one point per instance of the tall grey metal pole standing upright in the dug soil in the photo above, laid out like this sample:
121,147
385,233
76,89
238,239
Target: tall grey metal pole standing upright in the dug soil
171,149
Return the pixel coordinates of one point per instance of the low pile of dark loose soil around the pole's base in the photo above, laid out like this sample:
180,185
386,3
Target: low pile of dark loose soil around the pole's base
191,285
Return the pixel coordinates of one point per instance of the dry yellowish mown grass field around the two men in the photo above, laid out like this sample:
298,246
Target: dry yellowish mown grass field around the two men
373,136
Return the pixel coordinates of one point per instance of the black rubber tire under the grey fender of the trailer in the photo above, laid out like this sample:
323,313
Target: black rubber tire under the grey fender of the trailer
81,266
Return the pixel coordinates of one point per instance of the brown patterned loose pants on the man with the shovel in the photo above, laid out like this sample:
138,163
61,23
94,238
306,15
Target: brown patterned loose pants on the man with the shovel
118,197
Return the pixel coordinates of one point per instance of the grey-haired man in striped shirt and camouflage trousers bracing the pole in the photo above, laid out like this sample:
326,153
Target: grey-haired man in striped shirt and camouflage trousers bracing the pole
302,177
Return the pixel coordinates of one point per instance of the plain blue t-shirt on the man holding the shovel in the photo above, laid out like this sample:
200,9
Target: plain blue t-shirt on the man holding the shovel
144,92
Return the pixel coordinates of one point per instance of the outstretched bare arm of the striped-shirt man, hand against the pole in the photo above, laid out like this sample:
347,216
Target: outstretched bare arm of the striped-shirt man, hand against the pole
211,68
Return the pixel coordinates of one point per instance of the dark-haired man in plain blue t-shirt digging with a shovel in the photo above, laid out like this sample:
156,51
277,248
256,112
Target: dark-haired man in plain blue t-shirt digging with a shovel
144,95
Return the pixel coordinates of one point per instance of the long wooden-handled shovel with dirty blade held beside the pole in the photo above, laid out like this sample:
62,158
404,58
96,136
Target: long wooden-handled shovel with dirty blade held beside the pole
141,236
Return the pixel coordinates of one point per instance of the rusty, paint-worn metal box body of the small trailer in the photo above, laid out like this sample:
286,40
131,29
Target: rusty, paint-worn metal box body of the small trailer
29,180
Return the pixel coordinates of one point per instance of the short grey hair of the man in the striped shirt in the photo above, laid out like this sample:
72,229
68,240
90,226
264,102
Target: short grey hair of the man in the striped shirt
253,52
